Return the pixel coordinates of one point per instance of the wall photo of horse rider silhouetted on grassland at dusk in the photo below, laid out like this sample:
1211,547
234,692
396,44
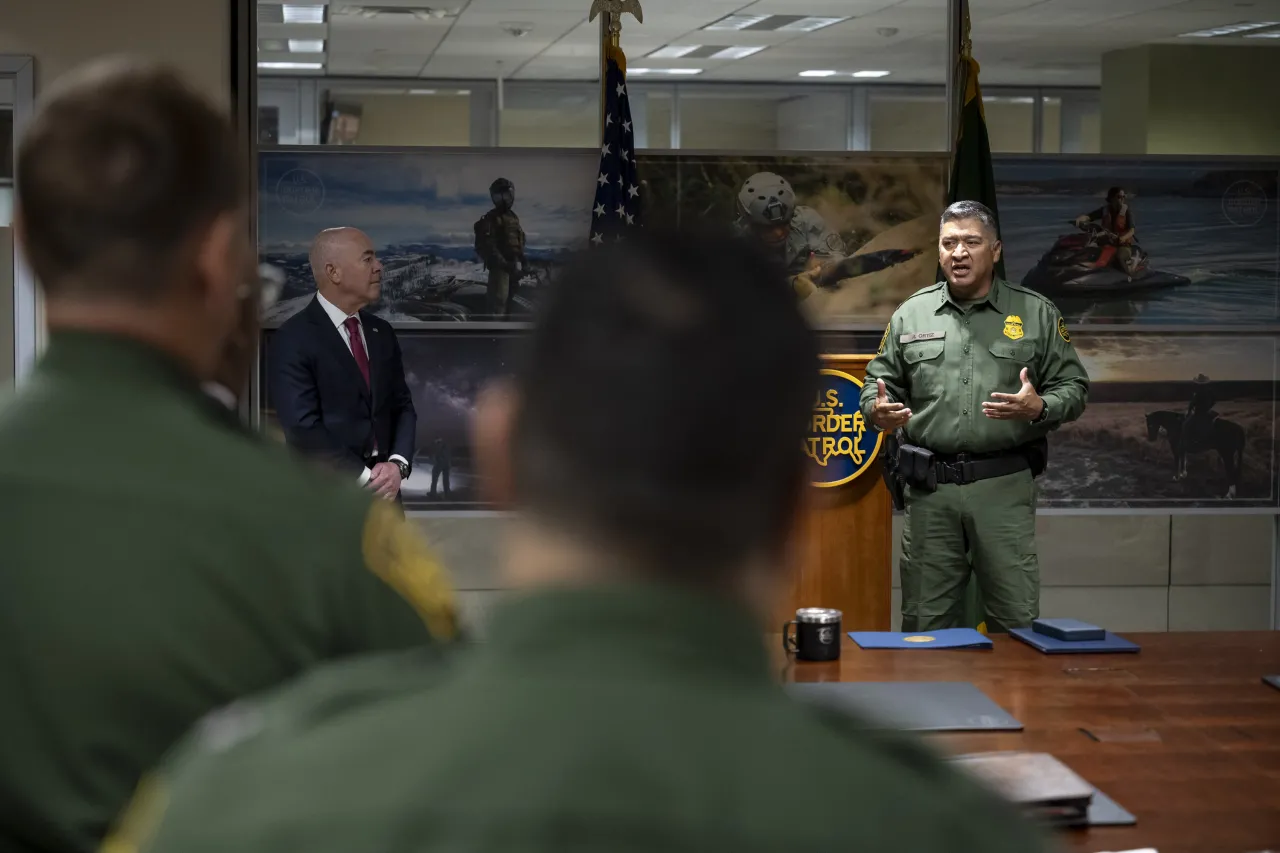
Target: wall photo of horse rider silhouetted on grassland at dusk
1174,421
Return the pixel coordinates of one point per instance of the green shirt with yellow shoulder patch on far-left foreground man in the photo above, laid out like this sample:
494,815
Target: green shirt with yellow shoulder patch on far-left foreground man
161,563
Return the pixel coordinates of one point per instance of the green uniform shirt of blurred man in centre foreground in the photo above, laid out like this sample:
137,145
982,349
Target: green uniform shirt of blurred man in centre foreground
605,720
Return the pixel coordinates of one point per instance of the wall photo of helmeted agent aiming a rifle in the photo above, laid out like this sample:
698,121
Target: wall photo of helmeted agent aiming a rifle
857,234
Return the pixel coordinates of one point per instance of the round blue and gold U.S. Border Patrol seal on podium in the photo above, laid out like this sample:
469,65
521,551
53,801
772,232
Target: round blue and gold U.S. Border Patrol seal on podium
842,445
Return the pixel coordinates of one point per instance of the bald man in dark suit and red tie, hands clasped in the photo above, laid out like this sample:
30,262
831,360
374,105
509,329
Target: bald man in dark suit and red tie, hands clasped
337,373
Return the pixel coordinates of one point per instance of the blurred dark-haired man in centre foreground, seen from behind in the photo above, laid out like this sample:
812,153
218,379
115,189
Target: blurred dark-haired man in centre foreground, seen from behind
652,445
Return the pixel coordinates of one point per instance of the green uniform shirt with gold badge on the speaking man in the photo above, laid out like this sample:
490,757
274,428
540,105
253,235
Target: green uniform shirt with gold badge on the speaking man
944,361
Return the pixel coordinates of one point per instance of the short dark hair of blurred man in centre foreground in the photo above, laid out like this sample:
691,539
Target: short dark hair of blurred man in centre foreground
664,404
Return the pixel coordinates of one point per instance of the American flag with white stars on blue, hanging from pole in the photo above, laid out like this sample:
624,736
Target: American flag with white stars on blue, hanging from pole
618,189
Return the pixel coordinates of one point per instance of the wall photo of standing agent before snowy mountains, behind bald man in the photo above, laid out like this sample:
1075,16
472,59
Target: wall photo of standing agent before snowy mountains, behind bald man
463,235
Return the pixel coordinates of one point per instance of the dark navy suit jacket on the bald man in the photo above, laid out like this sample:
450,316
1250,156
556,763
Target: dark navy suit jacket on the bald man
323,404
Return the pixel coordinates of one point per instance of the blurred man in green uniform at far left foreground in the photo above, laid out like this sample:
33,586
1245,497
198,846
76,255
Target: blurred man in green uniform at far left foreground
159,560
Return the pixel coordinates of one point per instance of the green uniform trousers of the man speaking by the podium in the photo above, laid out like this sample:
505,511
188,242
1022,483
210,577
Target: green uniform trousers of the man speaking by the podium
991,521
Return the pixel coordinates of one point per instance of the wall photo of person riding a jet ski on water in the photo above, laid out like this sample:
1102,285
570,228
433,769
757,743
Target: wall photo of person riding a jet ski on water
1144,241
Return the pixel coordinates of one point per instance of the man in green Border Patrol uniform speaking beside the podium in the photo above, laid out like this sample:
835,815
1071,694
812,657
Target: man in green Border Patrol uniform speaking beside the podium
972,375
